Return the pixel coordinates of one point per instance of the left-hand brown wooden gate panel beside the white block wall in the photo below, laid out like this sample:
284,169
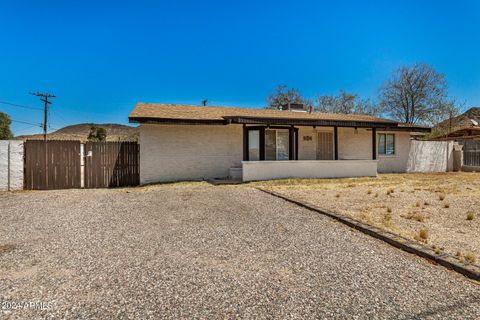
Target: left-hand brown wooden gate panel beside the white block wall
51,165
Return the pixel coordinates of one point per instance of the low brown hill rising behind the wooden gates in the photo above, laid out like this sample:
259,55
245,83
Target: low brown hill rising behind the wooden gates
115,132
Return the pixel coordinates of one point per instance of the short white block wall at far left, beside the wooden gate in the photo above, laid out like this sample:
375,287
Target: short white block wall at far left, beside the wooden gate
11,165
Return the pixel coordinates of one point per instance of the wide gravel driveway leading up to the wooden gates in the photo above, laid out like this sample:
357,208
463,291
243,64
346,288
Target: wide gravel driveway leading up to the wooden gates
201,251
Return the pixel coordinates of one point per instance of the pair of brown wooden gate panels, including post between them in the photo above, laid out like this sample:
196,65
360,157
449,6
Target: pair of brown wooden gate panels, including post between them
58,164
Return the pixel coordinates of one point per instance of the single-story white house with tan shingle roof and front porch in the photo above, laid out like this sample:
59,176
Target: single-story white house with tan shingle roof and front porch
183,142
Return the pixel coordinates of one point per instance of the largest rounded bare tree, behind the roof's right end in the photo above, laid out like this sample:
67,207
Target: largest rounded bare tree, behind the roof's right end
415,95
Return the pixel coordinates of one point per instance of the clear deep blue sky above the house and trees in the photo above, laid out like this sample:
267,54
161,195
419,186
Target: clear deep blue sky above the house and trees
102,58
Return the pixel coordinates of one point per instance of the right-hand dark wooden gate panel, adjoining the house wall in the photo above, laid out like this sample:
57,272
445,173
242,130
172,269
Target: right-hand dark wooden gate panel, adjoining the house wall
111,164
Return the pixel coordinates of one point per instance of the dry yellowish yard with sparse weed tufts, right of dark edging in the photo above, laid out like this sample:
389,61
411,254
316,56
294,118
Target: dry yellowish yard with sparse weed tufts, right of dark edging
440,210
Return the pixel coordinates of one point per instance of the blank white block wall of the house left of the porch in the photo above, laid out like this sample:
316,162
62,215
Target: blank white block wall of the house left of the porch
189,152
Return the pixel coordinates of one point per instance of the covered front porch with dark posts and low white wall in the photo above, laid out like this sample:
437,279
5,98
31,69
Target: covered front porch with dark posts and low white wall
278,152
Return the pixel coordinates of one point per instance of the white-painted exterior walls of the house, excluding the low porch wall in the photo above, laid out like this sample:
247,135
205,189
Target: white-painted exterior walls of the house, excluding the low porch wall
193,152
